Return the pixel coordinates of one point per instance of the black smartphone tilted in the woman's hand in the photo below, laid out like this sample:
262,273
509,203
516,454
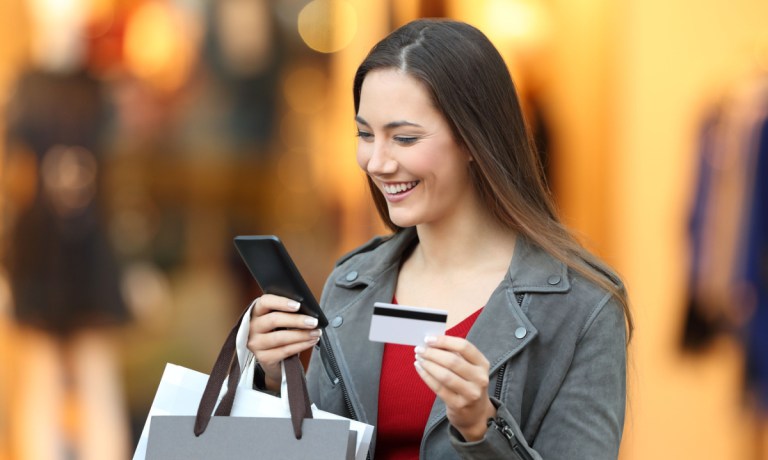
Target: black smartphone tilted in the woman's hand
274,271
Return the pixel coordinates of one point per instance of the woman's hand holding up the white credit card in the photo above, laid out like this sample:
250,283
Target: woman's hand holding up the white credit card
458,373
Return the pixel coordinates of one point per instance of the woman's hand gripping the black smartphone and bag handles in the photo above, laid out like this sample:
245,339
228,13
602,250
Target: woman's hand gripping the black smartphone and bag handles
277,332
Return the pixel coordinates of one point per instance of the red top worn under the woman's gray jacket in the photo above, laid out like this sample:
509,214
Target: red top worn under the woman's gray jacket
405,400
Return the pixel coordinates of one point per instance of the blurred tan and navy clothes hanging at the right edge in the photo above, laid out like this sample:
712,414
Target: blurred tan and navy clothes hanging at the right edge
728,285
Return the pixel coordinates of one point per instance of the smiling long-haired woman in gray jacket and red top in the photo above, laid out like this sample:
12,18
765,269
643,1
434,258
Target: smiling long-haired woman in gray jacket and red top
533,364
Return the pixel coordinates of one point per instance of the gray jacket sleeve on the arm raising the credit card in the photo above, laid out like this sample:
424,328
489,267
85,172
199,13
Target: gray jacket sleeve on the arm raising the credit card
586,418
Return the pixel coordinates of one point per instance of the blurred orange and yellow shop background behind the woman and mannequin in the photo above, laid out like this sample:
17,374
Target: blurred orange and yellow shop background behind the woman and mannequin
235,117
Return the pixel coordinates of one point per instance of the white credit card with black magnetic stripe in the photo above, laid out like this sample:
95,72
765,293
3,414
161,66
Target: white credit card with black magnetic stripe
405,325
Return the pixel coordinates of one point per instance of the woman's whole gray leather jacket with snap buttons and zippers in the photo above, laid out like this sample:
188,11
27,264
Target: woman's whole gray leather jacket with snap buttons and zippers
556,344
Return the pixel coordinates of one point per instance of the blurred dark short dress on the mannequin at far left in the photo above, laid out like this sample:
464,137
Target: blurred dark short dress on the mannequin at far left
63,273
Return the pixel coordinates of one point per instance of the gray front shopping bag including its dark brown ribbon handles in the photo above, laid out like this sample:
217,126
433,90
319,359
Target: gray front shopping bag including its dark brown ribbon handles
213,434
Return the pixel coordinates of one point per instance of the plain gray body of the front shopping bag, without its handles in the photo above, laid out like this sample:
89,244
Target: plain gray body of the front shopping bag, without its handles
171,437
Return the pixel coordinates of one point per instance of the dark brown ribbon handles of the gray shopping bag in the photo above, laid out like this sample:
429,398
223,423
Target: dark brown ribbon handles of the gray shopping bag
227,366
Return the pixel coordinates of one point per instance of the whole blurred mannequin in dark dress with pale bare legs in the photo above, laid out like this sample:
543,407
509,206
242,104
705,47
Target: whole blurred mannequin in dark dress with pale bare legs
63,276
